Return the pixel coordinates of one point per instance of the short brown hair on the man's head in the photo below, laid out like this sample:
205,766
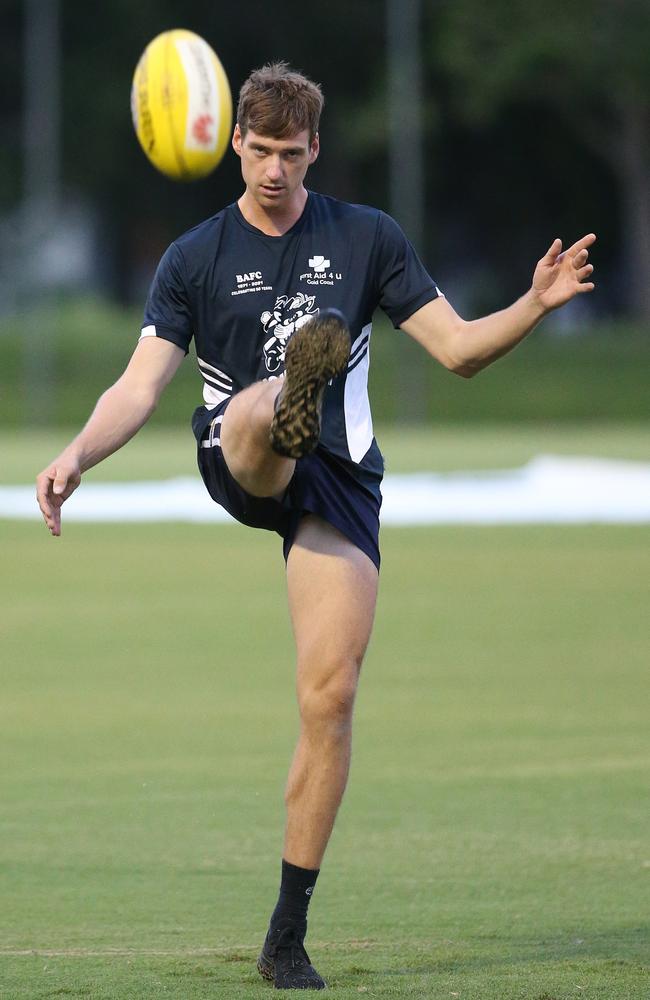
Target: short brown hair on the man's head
277,102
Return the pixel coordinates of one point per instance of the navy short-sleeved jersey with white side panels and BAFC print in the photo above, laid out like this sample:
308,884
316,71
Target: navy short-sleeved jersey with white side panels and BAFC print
241,294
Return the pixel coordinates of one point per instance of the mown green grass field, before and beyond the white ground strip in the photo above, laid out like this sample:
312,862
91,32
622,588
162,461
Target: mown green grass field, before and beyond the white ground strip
493,842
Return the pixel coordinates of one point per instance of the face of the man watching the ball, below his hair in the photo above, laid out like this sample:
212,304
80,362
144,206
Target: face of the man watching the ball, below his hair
274,169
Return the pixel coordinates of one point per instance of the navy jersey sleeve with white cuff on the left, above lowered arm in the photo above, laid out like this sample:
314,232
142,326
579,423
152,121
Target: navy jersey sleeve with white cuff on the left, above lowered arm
167,313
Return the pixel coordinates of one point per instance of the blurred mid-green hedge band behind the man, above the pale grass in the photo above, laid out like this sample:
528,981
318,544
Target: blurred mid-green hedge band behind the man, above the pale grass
594,374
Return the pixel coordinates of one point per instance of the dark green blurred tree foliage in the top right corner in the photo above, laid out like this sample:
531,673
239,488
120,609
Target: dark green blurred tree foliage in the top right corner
589,63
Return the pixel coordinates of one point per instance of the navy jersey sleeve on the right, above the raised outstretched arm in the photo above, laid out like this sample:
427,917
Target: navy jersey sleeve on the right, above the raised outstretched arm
404,284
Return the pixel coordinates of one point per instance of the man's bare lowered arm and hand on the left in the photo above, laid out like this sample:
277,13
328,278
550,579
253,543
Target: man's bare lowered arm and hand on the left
120,412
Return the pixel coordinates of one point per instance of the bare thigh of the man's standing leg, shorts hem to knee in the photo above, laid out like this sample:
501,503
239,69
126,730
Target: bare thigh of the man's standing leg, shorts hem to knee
332,588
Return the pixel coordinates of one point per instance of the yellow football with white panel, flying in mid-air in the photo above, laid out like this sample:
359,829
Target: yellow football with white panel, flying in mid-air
181,105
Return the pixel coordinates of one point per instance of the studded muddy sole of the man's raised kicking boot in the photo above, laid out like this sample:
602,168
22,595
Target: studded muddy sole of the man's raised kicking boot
316,353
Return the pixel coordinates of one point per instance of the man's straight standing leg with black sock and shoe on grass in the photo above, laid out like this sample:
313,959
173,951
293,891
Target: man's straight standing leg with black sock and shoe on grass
332,589
